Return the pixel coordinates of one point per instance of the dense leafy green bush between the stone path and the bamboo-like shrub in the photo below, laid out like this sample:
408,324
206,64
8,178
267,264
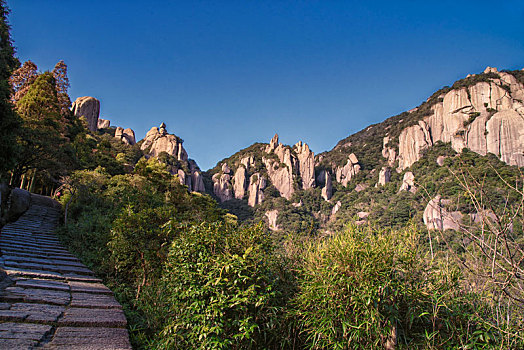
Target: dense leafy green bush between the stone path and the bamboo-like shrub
220,290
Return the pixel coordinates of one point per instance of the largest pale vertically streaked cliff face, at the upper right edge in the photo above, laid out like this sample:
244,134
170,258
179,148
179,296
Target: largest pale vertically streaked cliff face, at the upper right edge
485,117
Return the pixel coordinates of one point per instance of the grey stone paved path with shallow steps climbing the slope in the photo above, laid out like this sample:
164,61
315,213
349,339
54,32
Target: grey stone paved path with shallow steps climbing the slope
54,301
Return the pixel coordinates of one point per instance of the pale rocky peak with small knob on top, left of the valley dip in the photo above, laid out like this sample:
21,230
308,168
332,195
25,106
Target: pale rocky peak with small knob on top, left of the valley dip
159,142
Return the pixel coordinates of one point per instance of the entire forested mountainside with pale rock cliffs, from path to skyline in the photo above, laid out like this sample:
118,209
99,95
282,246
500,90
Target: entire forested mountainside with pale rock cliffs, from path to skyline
407,235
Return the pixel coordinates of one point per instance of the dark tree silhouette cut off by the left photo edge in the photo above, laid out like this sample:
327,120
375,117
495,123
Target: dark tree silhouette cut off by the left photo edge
9,121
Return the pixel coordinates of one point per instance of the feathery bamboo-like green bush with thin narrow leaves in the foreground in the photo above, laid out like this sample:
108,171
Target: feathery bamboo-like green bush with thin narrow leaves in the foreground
362,287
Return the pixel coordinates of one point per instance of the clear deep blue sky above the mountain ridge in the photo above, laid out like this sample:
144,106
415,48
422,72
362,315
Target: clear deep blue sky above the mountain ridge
225,74
